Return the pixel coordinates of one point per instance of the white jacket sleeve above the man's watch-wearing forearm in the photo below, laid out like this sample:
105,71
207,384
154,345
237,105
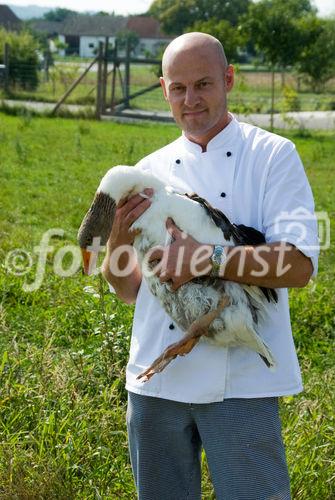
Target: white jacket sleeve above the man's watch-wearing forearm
288,205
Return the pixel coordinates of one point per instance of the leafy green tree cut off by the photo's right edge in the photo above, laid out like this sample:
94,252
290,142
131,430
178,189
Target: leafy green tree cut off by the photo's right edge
316,60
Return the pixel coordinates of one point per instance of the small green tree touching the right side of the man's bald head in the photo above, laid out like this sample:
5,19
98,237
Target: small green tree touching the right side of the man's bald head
223,31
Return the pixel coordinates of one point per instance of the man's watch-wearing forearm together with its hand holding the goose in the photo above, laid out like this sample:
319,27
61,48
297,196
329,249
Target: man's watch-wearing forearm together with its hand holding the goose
273,265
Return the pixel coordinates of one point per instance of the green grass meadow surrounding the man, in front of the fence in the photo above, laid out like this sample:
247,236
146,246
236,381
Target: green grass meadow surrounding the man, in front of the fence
63,350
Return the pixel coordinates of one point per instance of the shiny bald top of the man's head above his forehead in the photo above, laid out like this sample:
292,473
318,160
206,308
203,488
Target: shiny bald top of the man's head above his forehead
202,44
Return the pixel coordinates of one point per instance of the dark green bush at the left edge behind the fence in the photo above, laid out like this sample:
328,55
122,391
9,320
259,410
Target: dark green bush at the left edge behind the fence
23,59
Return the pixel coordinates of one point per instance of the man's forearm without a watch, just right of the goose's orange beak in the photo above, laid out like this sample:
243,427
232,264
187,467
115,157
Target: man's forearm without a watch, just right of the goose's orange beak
126,286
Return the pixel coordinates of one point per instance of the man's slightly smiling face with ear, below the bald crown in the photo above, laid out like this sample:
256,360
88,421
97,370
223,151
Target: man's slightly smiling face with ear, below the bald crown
196,86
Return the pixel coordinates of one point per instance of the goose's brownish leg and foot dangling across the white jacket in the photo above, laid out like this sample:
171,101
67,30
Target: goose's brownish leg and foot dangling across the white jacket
198,328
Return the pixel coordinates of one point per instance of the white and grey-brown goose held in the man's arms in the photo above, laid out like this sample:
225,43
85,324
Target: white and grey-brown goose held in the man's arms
212,309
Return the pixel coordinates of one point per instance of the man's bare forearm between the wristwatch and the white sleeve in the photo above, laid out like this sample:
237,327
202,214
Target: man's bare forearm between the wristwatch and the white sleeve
275,265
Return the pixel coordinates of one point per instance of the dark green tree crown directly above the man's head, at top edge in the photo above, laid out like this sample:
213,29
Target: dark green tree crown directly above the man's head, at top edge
176,16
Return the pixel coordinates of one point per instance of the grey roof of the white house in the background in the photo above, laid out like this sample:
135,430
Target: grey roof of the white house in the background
93,25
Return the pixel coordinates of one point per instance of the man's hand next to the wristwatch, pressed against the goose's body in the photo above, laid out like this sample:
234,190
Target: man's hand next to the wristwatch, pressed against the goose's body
182,260
